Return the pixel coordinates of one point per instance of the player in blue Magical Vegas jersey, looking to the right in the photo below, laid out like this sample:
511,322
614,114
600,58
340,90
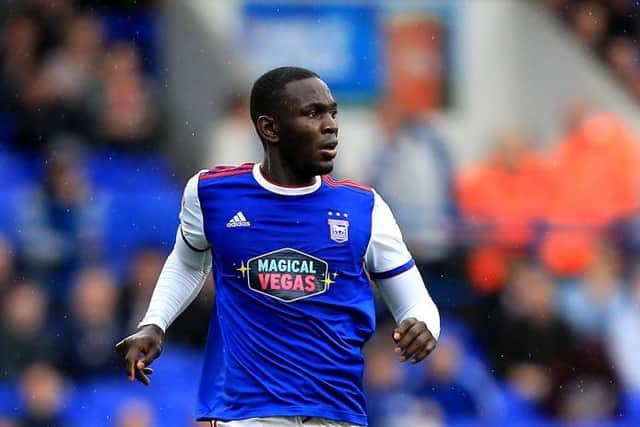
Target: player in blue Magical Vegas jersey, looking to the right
292,252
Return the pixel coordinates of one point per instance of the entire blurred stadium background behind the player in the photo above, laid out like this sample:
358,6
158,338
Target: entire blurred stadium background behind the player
503,133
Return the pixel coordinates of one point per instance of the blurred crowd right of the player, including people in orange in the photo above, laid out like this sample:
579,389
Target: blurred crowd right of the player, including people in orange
534,268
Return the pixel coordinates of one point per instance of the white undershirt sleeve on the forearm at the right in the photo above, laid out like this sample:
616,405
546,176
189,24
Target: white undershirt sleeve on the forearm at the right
406,296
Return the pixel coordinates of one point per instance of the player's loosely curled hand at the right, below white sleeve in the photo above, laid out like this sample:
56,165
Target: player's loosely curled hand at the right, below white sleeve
413,340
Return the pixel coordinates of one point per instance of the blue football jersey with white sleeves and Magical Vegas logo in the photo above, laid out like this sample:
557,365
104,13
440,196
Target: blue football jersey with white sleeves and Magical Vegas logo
293,301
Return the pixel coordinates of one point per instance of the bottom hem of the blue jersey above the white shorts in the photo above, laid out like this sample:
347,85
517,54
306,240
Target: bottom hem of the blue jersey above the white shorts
339,416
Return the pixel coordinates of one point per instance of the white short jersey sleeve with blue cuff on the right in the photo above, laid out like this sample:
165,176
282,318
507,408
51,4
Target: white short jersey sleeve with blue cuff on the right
387,254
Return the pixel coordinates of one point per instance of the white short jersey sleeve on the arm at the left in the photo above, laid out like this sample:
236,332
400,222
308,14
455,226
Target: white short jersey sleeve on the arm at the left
191,220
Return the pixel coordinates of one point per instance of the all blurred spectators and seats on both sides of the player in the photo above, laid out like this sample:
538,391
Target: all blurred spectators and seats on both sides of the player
530,253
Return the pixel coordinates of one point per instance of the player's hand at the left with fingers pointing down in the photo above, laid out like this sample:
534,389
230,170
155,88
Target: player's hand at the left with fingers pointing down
139,350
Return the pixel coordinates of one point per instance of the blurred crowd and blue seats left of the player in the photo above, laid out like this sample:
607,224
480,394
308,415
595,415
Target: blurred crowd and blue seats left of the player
89,209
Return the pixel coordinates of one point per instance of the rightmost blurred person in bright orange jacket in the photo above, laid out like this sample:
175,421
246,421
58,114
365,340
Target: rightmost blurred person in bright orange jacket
594,185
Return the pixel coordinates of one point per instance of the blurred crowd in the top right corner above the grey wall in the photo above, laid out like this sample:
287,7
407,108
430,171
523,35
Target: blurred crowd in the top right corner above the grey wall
610,28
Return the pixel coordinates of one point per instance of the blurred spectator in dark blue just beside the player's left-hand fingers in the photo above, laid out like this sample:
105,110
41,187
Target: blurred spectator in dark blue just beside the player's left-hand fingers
94,325
